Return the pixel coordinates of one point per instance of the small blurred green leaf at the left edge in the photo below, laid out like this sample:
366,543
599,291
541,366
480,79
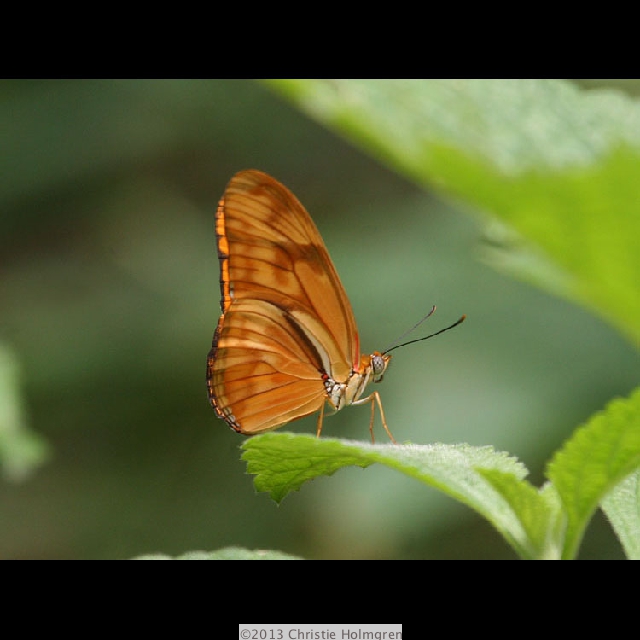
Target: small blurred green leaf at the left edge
21,450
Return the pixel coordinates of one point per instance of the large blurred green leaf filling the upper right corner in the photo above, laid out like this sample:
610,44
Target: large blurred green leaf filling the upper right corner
557,164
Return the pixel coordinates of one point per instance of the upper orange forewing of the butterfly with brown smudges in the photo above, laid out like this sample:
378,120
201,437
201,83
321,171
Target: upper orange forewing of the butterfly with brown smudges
277,255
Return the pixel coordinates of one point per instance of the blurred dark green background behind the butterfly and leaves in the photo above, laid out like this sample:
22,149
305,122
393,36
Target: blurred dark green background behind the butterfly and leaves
109,297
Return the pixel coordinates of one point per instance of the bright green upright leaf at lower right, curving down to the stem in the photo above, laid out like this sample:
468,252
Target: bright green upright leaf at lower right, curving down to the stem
598,456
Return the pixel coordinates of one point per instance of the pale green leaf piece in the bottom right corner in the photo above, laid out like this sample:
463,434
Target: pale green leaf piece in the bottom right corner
622,508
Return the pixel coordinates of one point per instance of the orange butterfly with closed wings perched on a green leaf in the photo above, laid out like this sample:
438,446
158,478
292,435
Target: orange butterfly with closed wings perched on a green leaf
287,341
